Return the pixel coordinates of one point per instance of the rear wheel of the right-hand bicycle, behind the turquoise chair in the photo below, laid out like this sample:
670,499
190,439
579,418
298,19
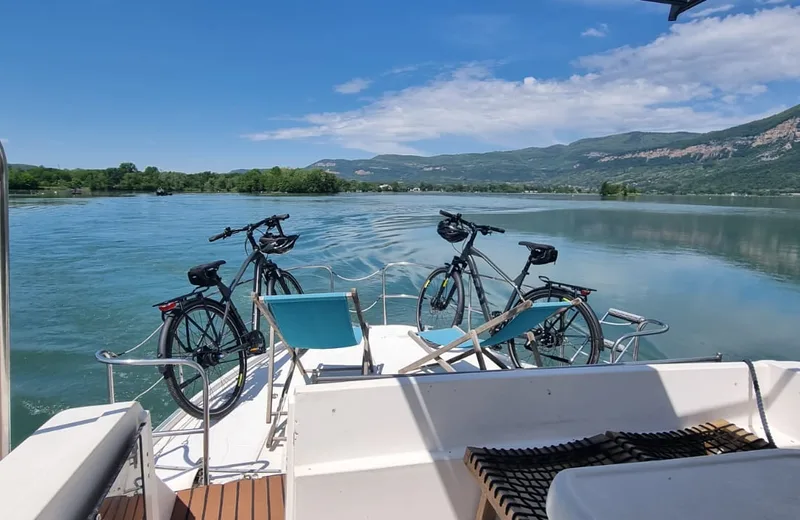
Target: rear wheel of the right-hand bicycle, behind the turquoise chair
574,337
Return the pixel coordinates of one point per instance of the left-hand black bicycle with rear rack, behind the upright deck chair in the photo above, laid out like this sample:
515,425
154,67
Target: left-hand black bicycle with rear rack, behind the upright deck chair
211,331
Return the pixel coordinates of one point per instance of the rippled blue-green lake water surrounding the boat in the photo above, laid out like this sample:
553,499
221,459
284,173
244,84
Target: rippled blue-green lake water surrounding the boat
723,272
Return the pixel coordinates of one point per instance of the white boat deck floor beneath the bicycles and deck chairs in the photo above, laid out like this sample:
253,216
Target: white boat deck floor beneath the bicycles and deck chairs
238,441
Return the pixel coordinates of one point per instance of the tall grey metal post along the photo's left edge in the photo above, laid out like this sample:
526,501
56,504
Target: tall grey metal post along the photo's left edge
5,320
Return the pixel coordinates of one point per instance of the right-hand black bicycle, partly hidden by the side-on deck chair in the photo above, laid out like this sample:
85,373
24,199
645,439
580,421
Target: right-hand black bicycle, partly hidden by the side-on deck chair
572,337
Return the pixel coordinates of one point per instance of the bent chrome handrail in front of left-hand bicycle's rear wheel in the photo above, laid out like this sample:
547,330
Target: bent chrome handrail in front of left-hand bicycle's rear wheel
110,359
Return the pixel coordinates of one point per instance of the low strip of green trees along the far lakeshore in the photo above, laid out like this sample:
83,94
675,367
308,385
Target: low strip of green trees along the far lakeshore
127,177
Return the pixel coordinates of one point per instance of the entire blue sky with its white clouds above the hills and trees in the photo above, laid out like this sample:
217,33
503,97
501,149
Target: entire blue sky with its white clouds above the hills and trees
194,86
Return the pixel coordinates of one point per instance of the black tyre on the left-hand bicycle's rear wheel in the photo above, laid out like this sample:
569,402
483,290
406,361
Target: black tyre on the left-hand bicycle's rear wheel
169,339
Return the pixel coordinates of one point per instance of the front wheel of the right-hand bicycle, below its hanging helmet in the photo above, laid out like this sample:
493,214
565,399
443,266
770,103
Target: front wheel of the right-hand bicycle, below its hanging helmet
441,301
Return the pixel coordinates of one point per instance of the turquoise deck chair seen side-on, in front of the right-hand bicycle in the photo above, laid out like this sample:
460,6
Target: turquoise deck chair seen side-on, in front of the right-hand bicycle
518,321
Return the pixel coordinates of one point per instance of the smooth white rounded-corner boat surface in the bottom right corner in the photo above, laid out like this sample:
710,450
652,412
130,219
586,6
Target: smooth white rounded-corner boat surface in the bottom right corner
744,485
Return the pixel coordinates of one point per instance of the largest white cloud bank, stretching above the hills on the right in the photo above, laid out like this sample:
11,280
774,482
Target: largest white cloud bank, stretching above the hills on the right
658,86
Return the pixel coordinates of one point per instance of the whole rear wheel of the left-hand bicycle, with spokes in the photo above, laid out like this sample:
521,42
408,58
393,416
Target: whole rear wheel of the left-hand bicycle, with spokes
202,332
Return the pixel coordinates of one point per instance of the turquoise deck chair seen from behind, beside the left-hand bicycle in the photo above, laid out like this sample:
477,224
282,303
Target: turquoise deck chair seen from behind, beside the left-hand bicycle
312,321
